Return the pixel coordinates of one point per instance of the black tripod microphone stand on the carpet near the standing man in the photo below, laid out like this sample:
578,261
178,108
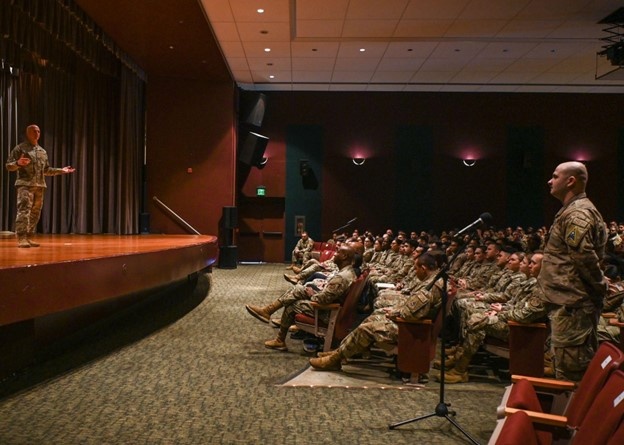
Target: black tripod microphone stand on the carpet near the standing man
442,408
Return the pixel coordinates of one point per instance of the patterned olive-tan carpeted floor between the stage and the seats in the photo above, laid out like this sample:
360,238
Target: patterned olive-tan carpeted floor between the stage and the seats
187,370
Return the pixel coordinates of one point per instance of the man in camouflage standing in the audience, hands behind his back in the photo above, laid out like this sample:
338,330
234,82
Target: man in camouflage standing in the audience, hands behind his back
573,284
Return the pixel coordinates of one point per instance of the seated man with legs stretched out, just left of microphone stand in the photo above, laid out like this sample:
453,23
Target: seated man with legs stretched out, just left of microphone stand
380,327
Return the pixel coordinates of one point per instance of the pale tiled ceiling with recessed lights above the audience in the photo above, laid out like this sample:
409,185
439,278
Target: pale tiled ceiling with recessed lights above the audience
415,45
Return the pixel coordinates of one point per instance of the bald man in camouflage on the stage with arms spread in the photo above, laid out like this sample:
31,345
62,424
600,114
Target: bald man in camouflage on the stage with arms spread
30,161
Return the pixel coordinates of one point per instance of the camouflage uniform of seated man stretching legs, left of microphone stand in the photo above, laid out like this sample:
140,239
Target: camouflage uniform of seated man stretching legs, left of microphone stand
379,328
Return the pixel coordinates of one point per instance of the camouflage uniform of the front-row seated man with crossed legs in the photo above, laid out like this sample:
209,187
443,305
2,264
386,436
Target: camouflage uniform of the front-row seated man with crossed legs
297,301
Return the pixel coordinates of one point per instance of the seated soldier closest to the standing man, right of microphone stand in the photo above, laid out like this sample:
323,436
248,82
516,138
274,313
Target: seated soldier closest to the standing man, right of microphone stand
526,307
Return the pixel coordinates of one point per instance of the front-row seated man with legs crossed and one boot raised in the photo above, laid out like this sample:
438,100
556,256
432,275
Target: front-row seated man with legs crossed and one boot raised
297,300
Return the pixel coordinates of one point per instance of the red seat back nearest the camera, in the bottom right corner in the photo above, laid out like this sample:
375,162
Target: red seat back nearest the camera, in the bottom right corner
605,414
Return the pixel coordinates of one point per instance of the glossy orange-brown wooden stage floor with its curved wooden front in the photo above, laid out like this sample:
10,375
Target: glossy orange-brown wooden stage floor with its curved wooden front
69,271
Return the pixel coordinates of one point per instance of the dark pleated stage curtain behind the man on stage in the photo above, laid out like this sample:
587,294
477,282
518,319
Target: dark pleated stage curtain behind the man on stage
60,71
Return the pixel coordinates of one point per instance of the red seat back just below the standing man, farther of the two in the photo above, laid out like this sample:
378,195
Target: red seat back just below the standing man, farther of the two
608,358
